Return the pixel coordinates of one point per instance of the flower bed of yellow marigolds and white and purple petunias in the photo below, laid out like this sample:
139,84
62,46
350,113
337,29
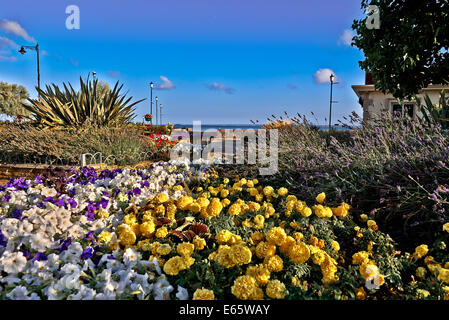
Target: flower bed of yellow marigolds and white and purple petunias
178,232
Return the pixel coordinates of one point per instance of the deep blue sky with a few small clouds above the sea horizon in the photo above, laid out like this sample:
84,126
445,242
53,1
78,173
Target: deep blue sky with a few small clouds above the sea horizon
215,61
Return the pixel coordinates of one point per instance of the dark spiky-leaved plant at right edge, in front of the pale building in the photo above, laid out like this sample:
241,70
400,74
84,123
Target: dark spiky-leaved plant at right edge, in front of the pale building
432,114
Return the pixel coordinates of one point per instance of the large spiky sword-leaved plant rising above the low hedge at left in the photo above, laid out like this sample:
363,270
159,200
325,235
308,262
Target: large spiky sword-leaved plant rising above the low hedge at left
72,109
